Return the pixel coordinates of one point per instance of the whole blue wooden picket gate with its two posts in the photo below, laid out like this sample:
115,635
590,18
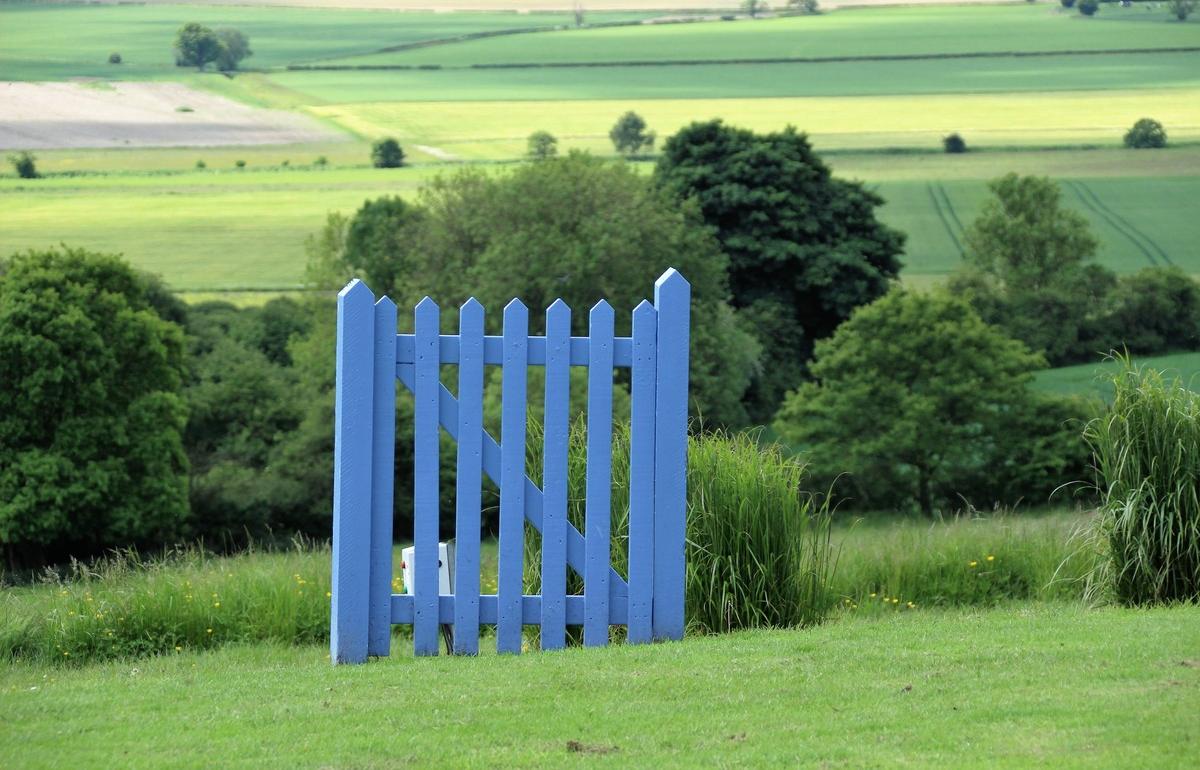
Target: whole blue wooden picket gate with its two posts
371,357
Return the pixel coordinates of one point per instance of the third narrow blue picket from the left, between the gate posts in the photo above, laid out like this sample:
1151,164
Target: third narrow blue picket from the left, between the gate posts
471,465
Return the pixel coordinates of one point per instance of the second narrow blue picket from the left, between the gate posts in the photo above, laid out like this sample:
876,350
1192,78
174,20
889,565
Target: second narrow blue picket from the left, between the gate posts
425,480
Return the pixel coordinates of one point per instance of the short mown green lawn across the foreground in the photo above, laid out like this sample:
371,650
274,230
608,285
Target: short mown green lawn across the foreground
1015,688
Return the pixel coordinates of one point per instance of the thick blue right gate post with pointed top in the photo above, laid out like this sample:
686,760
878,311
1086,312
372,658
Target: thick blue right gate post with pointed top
673,299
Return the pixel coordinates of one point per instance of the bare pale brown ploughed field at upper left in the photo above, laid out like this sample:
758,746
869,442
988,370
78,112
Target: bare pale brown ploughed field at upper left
49,116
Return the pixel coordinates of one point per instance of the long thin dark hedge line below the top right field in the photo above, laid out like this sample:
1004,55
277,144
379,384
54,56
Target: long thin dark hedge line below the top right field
685,63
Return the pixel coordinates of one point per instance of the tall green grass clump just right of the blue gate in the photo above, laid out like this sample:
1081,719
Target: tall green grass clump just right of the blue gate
759,550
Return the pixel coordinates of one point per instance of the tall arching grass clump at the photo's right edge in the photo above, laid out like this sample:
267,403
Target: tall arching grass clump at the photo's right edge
1147,450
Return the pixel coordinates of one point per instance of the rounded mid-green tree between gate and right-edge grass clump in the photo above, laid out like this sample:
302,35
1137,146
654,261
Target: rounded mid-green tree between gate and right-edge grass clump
910,398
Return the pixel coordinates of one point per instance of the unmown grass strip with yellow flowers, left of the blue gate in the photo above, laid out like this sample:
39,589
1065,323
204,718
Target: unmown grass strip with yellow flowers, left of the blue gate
127,606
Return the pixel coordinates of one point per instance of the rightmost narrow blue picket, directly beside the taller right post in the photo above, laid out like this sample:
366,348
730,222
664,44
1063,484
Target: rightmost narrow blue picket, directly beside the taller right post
641,474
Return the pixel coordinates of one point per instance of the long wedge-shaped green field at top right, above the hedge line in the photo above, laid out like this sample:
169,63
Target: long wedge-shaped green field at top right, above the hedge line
878,32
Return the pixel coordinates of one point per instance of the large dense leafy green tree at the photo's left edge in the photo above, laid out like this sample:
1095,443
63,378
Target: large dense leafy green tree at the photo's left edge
92,418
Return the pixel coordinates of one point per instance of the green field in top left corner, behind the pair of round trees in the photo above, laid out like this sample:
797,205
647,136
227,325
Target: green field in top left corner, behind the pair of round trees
49,43
